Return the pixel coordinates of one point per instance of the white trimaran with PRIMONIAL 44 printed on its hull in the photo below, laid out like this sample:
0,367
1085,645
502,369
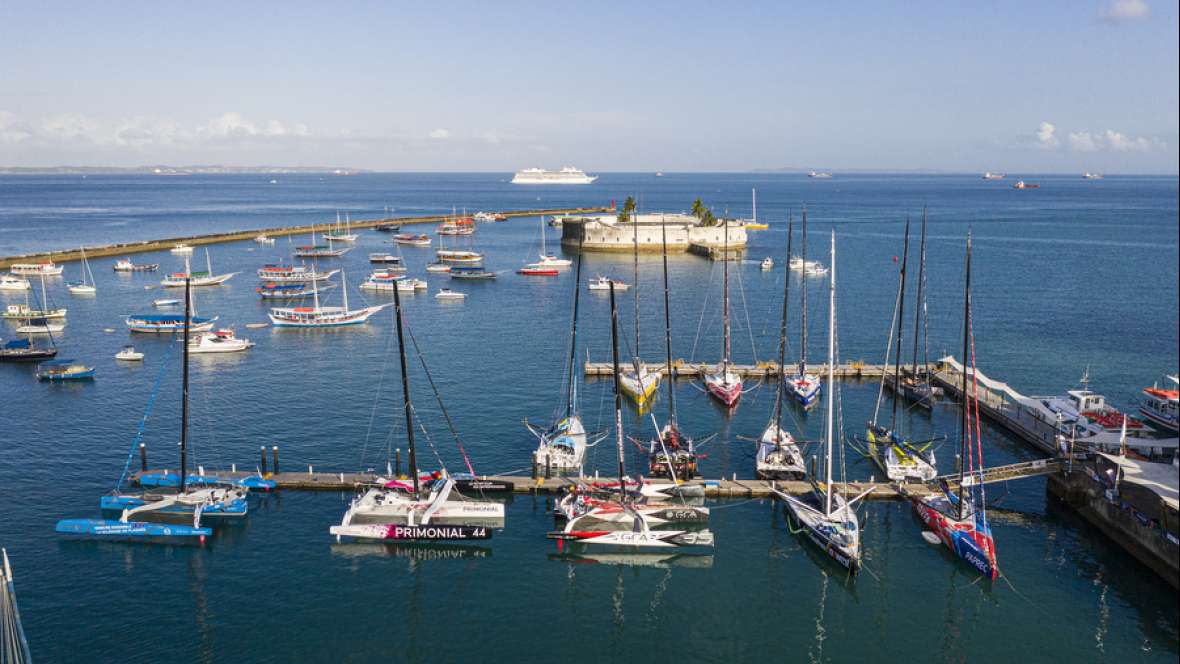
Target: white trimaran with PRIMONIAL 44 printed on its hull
398,510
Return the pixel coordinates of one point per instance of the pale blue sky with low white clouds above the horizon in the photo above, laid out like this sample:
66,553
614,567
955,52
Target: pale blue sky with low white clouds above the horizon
700,87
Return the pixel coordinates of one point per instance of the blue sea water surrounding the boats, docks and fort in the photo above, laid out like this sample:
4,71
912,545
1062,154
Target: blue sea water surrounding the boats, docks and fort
1077,275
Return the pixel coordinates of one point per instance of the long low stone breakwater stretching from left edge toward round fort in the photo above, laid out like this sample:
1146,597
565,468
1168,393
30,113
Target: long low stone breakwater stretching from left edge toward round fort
127,249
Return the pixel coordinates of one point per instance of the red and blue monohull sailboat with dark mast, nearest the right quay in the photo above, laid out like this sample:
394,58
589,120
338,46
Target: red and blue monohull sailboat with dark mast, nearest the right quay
960,517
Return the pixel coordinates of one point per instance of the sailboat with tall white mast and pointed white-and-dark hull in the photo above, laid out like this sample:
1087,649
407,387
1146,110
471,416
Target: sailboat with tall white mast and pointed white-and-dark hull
828,518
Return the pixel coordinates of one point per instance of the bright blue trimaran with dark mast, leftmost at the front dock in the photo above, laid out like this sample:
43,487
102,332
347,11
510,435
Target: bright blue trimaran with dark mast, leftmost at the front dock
182,503
